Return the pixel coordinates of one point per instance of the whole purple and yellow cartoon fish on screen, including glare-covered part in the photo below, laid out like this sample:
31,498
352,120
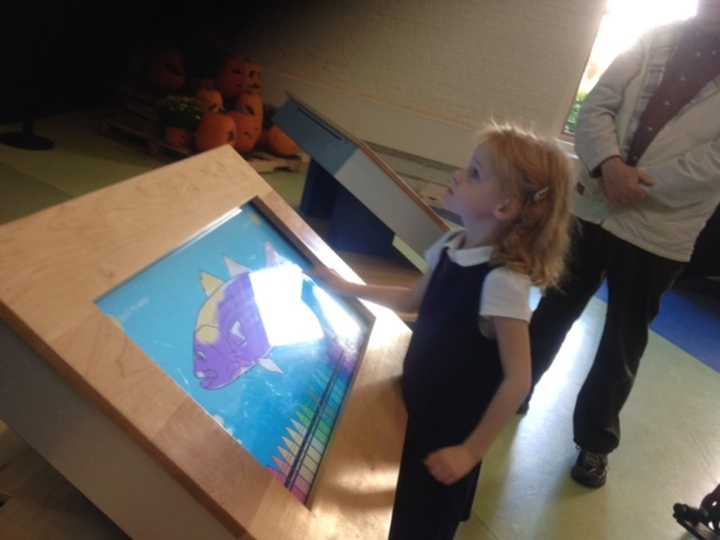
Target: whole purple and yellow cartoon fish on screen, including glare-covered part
244,317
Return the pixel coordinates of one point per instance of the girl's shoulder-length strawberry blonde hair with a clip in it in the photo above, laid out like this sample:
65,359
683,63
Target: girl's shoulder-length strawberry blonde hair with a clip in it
535,172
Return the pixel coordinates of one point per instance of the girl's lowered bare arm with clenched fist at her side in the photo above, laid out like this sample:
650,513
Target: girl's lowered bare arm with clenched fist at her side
452,463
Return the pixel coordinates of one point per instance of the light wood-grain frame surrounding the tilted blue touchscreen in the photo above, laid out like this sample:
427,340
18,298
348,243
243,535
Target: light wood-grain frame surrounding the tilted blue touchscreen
56,263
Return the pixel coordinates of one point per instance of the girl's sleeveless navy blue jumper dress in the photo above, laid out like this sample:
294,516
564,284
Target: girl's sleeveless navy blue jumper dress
451,373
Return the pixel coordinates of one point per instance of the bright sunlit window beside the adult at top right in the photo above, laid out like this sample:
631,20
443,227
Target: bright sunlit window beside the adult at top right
622,24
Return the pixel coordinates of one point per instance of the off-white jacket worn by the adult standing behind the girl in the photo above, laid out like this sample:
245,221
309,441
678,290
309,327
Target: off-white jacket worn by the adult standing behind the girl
683,159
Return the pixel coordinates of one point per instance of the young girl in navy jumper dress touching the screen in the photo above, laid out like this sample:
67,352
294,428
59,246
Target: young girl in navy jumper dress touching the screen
467,369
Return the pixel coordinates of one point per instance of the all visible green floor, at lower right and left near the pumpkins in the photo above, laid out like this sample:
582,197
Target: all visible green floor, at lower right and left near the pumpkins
671,445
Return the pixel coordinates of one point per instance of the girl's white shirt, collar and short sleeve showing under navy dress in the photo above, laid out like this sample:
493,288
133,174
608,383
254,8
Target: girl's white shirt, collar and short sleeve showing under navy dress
505,293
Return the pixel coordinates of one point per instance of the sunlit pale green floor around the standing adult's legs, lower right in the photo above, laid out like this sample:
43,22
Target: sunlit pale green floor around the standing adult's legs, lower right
525,491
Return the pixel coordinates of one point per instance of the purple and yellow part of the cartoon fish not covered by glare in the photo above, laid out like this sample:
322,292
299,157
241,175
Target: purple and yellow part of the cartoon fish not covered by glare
230,337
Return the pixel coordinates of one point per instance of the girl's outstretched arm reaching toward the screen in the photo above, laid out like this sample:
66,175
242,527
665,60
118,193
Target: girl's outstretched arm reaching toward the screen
404,299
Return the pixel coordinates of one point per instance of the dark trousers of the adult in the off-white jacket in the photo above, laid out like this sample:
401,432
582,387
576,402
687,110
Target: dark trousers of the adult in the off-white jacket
636,281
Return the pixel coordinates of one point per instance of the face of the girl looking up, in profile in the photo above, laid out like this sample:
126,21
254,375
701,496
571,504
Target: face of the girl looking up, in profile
476,193
